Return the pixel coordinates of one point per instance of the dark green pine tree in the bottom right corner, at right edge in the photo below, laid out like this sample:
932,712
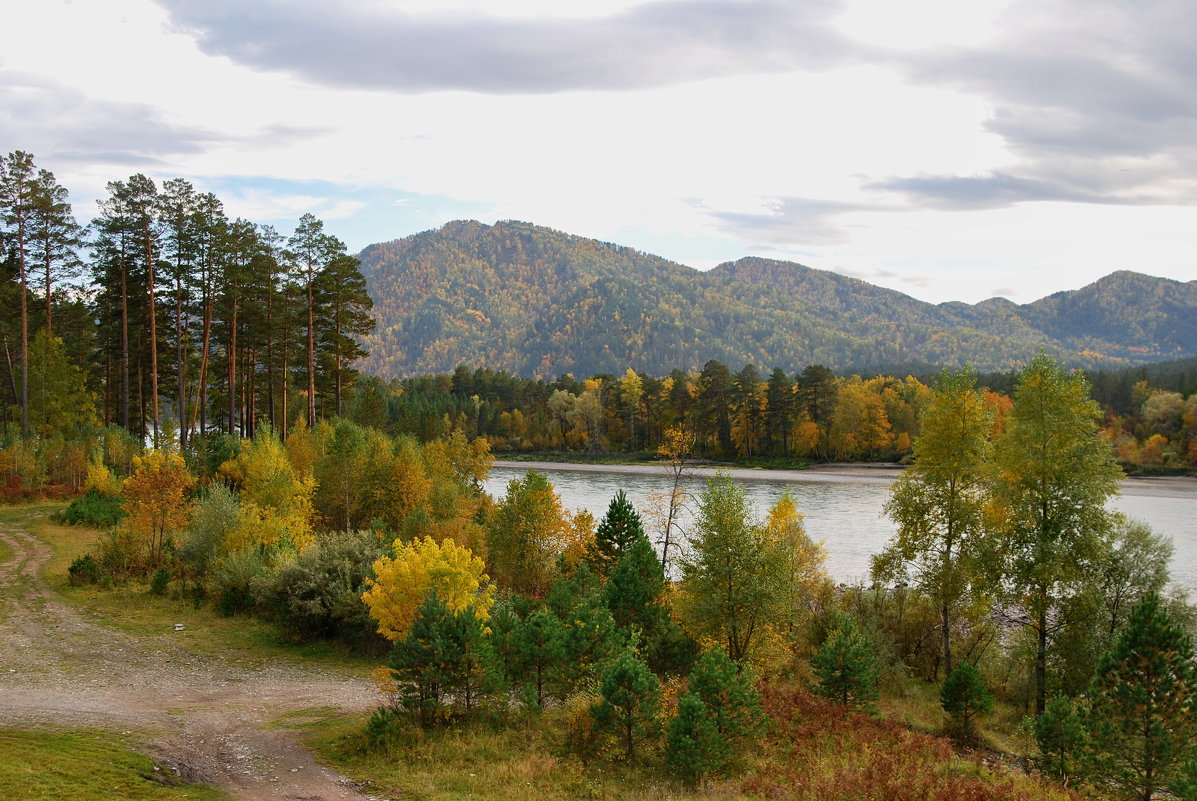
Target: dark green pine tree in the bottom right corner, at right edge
1144,714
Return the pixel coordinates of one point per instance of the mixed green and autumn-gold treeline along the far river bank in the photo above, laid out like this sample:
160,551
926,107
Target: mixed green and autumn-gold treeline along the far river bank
1150,414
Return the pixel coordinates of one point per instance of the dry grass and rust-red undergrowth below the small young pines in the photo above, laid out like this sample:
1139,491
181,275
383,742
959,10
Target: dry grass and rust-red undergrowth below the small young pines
815,751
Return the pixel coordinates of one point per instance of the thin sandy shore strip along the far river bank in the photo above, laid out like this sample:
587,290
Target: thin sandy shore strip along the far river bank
1163,487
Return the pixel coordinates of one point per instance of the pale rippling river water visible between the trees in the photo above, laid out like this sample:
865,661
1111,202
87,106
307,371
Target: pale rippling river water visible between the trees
843,507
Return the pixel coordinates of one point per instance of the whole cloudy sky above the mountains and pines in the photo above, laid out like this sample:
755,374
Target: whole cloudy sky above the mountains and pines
951,150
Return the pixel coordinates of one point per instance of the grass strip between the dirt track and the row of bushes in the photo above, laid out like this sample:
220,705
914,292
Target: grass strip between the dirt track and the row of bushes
246,641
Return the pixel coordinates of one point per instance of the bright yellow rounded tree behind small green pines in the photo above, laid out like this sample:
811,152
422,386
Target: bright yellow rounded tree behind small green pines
403,584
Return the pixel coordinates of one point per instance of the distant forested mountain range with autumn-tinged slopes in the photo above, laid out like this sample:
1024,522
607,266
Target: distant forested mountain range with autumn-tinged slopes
538,302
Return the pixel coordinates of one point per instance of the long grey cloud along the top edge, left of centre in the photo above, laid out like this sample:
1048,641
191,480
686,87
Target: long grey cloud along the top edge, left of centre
657,44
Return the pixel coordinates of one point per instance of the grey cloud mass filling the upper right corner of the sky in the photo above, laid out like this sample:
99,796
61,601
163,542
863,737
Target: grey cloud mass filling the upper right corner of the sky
1096,99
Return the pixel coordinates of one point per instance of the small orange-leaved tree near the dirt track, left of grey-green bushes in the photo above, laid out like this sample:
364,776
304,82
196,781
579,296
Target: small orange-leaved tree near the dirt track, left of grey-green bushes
155,501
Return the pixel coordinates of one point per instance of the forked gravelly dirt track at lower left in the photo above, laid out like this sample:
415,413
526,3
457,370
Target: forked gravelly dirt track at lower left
204,718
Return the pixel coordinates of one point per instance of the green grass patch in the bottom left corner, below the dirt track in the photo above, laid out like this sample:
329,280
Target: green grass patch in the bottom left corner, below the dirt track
83,766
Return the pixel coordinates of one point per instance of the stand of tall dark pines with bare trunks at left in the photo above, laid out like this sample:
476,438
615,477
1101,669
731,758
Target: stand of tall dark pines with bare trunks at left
174,317
